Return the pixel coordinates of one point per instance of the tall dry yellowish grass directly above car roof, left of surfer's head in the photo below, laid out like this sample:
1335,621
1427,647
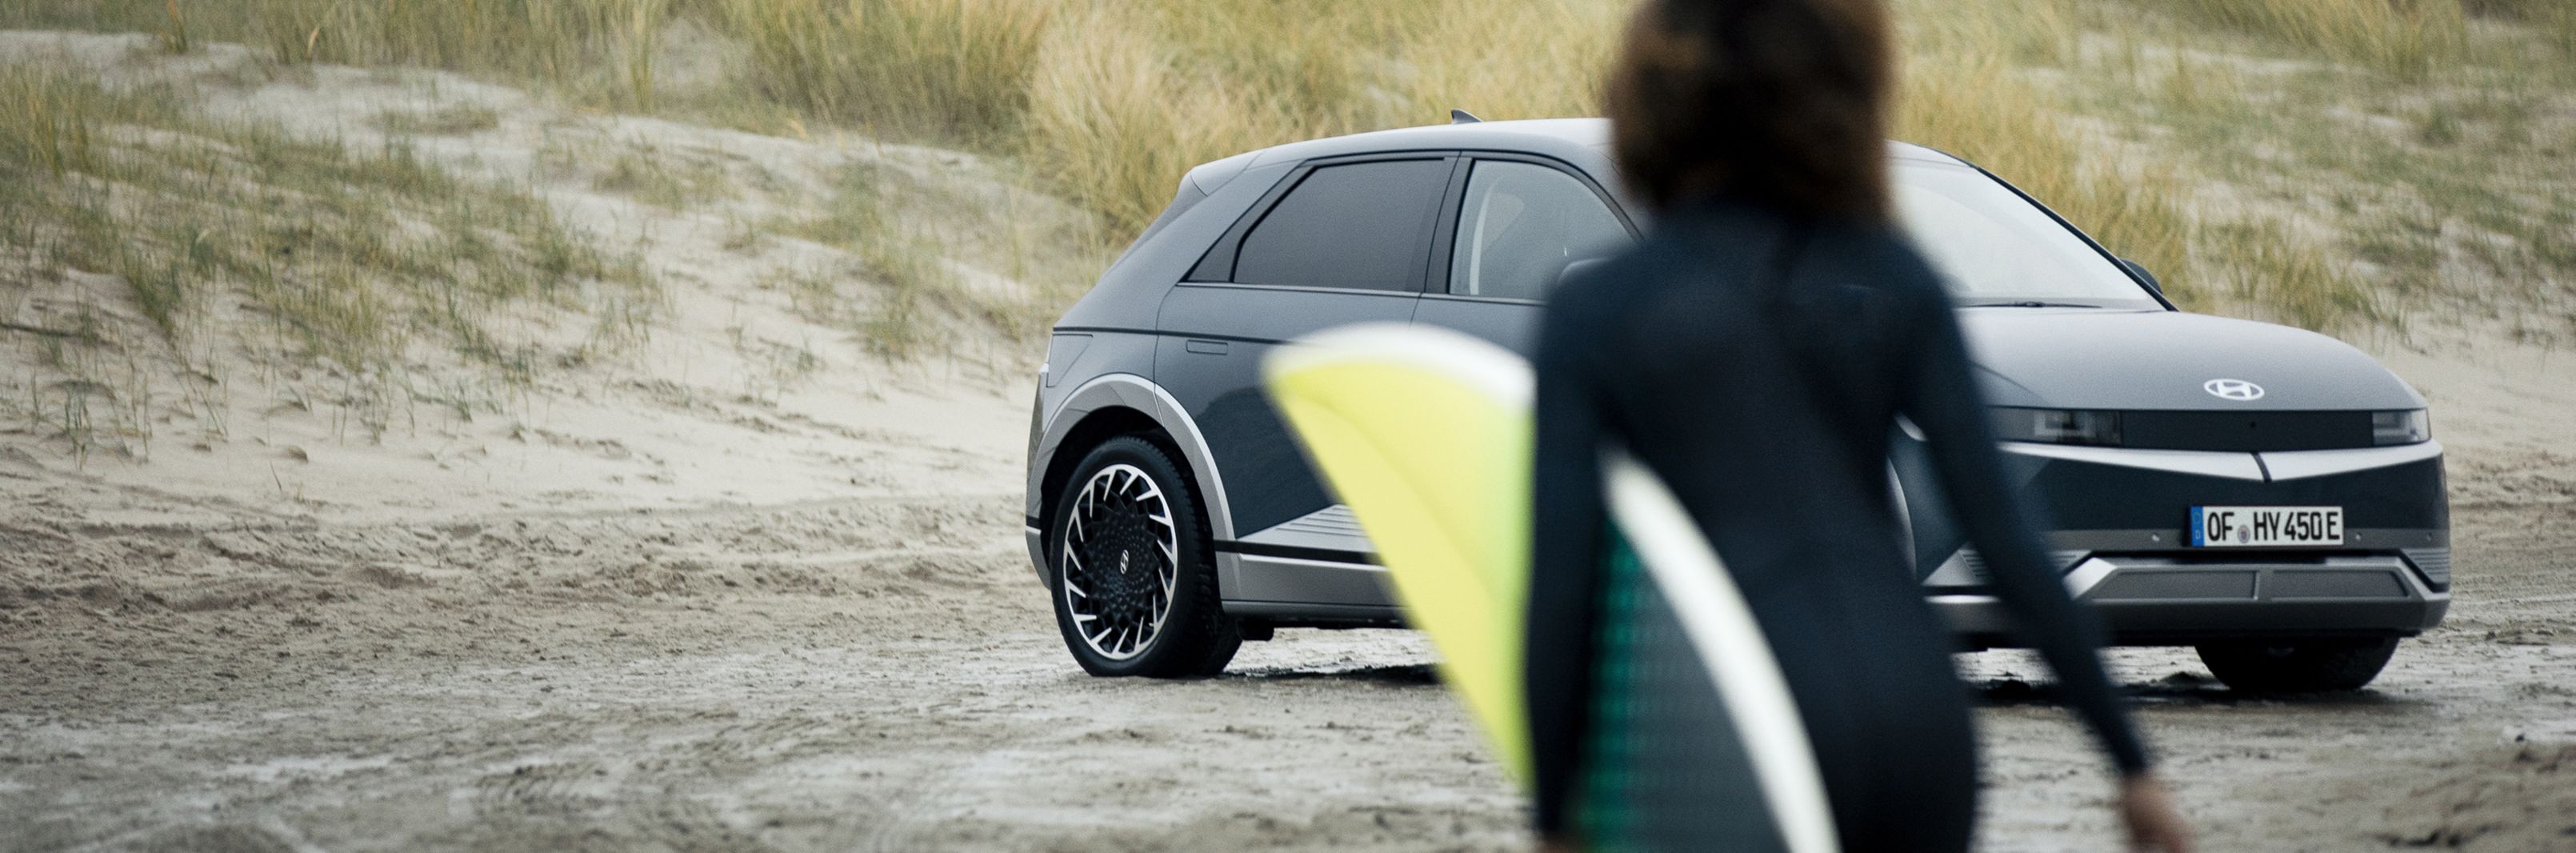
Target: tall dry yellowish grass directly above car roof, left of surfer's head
1135,94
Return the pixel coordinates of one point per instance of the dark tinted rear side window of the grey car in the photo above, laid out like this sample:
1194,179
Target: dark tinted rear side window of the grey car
1361,225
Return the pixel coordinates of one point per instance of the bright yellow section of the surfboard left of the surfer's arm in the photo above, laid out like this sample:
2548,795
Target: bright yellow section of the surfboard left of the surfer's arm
1426,434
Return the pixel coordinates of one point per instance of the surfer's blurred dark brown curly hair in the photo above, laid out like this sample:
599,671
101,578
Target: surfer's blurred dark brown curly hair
1771,102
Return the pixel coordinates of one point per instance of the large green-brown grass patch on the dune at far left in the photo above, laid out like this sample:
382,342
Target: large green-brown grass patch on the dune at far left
316,254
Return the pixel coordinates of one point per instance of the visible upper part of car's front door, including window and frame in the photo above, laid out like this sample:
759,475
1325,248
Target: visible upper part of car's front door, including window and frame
1519,228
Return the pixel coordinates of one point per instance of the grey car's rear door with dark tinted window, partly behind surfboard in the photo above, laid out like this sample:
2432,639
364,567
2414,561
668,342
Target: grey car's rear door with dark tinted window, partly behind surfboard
1341,241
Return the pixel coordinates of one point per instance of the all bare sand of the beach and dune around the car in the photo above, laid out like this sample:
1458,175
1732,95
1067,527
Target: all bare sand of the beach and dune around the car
663,609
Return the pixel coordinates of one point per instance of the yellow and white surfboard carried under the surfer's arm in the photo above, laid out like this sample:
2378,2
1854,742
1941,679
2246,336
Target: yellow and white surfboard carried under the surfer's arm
1426,434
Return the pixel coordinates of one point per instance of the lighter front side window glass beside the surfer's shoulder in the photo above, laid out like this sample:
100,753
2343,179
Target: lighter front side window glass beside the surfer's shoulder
1524,225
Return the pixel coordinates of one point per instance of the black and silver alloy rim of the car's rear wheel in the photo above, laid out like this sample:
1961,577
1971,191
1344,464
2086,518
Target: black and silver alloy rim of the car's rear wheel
1122,561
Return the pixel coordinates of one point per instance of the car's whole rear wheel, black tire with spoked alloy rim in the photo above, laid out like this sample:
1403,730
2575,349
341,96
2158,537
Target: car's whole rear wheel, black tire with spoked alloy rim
1109,615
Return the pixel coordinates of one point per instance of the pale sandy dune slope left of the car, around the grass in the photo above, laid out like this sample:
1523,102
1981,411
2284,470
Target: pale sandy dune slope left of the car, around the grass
733,398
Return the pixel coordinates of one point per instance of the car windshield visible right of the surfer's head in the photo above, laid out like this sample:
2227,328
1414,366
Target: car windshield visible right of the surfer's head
2000,249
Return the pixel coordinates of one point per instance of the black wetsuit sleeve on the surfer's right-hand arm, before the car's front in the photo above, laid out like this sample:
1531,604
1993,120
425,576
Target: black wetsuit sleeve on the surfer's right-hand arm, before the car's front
1944,401
